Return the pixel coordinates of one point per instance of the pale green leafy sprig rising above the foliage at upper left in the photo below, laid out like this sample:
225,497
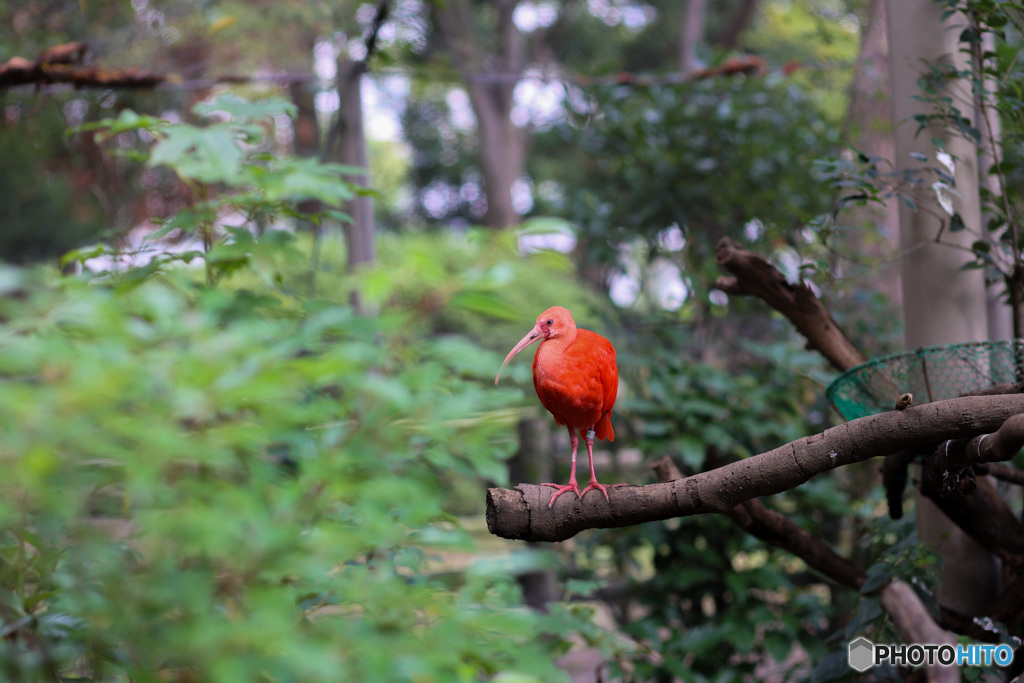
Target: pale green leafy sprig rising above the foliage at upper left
227,164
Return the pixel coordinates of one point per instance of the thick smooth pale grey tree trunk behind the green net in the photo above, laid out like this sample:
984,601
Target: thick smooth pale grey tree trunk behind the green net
942,303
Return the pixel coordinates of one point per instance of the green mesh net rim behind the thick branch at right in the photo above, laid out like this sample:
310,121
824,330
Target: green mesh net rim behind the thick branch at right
934,373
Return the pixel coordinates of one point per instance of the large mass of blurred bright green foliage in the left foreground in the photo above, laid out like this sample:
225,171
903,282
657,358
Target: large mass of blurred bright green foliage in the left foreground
235,482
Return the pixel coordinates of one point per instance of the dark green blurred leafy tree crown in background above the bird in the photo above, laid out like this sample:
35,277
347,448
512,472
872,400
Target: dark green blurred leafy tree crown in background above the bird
706,158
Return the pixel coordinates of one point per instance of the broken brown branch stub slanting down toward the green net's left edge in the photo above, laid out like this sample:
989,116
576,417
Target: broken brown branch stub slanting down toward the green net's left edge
754,276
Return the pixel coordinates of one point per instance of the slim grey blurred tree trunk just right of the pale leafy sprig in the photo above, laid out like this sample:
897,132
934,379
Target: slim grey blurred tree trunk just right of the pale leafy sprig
352,150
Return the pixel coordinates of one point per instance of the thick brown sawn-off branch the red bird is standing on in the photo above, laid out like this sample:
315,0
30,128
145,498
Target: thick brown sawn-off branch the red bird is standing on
523,514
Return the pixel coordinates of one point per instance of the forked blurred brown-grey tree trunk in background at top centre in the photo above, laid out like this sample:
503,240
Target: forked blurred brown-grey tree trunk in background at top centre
491,79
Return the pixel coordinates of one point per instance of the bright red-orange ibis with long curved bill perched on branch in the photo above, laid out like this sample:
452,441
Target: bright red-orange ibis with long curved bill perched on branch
577,380
